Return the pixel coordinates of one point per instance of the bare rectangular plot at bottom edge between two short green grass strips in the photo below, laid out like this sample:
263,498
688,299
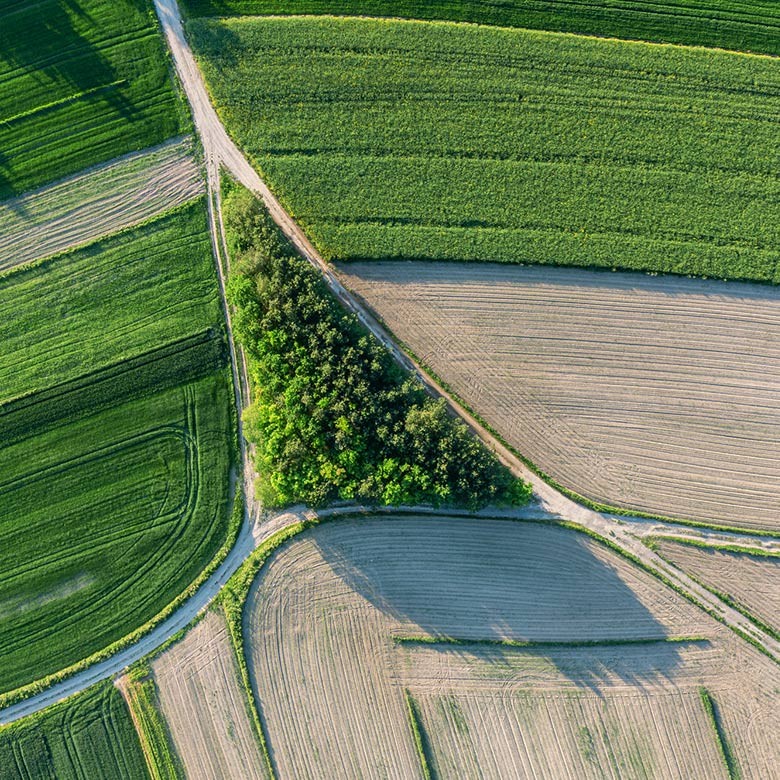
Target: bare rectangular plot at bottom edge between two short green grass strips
539,731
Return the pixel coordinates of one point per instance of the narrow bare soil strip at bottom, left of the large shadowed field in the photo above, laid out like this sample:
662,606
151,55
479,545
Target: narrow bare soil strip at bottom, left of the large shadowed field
205,706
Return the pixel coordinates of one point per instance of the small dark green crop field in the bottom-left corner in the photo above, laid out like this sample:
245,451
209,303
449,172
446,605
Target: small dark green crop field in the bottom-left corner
90,736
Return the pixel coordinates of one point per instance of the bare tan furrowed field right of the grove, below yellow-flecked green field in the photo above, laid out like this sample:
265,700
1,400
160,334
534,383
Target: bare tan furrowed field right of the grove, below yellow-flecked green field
658,394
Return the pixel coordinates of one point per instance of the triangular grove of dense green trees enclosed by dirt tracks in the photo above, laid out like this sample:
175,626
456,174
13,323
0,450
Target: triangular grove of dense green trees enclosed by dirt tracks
333,417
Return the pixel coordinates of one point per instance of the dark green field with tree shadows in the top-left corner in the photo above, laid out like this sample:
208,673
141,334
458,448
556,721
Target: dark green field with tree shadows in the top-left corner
81,82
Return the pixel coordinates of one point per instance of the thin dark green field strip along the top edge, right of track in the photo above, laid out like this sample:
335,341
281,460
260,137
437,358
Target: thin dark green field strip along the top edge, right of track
742,25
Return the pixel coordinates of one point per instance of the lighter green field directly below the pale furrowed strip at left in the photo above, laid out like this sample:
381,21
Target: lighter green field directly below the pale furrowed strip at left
121,296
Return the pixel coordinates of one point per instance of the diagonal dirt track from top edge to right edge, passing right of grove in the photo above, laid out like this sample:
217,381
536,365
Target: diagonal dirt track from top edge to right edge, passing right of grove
220,149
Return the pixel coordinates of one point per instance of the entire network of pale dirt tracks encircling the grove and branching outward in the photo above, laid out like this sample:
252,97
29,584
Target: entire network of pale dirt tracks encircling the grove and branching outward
623,533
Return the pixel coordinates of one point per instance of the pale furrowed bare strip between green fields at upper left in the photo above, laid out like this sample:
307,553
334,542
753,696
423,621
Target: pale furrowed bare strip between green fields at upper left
99,201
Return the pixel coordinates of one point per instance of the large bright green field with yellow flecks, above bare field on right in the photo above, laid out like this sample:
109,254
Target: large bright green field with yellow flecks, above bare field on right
414,140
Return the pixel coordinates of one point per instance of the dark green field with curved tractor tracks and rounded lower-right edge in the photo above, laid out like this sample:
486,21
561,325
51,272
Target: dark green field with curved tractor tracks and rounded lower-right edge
105,520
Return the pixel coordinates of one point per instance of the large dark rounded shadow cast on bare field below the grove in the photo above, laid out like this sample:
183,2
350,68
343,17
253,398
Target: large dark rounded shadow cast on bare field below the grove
483,582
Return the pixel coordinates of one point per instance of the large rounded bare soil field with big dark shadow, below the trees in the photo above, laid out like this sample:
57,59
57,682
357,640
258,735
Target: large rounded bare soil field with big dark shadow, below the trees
344,620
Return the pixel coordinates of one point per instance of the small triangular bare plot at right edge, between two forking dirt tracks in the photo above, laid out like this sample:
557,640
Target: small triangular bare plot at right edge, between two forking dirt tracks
751,581
